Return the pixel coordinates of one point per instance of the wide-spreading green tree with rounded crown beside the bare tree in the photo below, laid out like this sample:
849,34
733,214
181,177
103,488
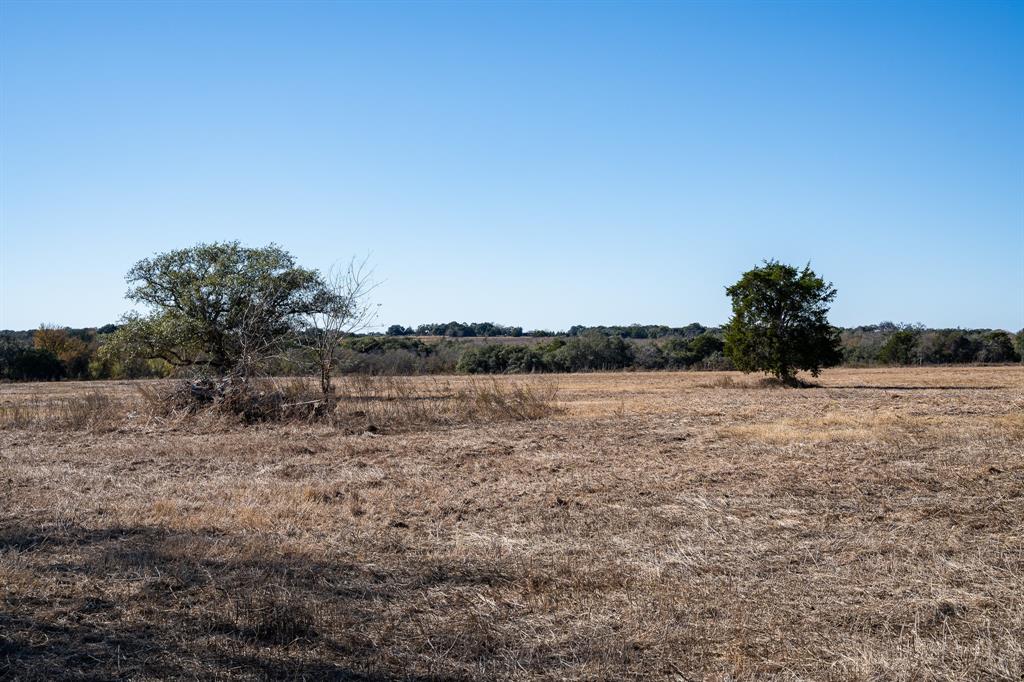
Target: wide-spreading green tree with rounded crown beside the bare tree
222,307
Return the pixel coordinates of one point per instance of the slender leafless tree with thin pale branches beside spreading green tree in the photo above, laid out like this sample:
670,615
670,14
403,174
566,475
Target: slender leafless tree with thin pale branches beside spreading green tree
346,310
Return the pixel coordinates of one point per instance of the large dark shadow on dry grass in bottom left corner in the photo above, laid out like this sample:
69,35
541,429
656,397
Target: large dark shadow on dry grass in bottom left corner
147,603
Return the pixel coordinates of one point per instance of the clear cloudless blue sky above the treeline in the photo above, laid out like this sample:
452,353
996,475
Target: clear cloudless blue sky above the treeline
540,164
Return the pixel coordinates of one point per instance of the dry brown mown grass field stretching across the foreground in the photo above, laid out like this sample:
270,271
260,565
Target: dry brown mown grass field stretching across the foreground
659,527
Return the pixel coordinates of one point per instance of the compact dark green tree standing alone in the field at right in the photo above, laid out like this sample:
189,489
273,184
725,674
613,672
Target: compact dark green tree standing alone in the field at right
780,322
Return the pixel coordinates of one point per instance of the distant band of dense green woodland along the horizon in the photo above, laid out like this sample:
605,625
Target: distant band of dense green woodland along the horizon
53,353
